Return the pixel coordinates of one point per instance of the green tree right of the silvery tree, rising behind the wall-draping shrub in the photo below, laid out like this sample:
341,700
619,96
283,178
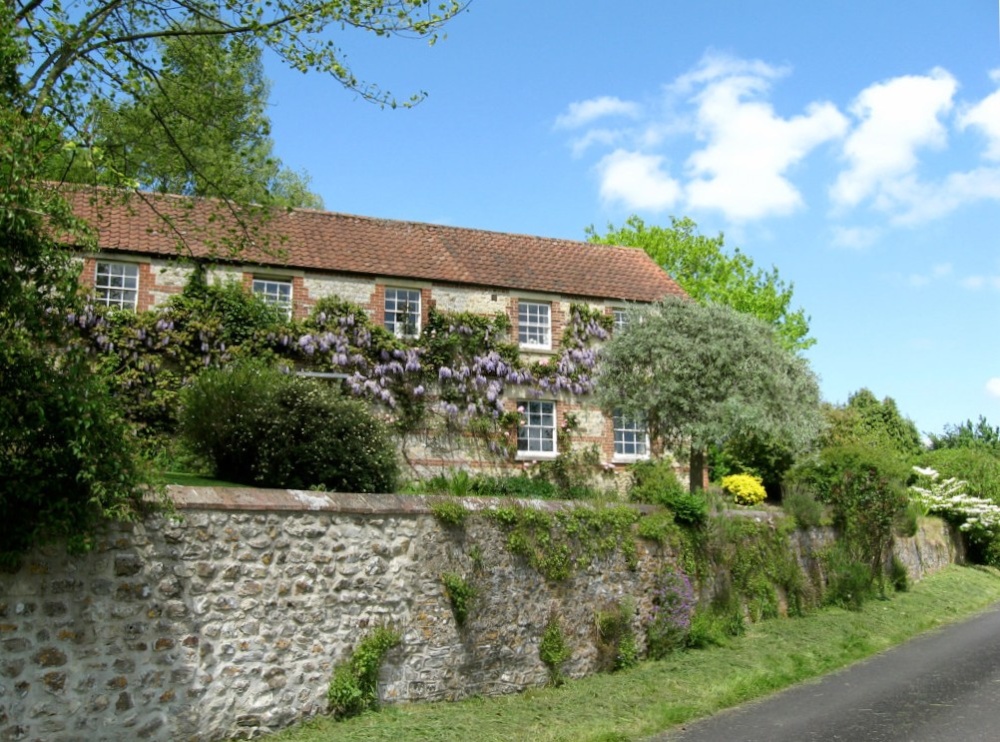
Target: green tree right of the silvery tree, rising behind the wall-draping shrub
866,421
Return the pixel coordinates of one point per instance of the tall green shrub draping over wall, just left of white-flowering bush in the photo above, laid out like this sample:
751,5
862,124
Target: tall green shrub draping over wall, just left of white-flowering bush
866,489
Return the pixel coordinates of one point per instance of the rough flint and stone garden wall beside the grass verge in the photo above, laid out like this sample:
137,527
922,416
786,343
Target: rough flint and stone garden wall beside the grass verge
228,621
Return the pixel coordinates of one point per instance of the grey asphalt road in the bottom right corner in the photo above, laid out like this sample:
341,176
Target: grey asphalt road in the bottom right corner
942,686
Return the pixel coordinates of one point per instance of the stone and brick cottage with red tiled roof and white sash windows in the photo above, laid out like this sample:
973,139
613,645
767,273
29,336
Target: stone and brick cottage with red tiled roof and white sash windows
398,272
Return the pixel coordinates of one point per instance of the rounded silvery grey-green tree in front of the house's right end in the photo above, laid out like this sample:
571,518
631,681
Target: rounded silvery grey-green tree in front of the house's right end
705,374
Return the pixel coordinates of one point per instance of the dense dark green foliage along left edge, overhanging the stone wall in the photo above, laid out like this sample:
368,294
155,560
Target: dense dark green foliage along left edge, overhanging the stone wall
67,458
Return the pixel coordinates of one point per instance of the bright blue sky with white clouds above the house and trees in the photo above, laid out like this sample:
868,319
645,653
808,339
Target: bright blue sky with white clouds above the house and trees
853,145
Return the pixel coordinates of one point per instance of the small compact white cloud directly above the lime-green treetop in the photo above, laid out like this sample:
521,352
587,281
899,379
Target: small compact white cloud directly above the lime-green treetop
638,181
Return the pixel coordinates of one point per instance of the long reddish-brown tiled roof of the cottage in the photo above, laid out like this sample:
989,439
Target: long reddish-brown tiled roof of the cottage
340,243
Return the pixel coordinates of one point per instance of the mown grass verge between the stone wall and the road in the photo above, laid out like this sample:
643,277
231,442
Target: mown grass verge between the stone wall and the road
657,695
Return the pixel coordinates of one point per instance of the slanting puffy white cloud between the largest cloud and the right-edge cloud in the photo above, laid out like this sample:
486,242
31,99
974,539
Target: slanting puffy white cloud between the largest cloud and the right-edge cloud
898,117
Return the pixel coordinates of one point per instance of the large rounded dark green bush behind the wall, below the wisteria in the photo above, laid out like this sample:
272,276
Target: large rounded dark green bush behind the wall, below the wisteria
258,426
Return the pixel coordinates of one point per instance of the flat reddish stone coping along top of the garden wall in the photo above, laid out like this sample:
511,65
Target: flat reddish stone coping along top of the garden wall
252,499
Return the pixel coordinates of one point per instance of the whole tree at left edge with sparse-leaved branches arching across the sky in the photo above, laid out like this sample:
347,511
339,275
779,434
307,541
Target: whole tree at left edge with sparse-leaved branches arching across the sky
66,459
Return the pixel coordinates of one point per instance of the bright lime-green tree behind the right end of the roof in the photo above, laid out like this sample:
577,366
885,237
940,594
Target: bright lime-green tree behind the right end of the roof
709,274
